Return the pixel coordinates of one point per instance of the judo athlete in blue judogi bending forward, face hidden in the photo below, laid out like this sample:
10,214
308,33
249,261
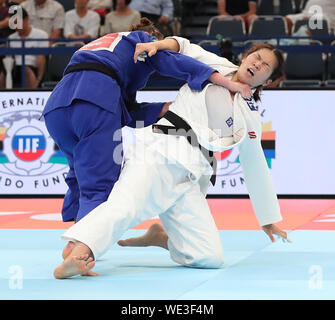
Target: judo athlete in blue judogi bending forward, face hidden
97,97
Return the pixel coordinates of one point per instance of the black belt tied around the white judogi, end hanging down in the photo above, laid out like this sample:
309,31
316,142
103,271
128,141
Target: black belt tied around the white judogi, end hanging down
178,124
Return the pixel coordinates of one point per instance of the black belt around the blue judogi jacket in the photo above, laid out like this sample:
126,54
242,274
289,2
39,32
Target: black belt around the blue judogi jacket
92,66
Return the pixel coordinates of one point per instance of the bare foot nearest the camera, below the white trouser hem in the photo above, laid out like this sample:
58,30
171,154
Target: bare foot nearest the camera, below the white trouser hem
75,265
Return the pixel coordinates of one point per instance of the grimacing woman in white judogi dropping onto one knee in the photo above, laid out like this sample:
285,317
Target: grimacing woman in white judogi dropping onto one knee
168,176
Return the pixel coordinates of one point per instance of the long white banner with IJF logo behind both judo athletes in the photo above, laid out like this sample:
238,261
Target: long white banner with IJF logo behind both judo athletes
298,142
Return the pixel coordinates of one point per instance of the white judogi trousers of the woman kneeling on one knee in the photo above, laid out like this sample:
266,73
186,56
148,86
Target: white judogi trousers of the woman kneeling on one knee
149,186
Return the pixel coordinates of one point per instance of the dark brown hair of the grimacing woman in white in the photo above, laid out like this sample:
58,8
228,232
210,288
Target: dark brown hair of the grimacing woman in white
278,73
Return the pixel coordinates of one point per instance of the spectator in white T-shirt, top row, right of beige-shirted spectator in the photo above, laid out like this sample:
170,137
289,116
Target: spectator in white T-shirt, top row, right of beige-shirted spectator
80,22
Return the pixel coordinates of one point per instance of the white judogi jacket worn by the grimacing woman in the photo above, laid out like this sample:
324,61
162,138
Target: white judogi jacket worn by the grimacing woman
247,132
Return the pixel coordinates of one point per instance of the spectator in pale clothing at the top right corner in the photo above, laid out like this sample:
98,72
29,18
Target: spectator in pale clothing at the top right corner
315,9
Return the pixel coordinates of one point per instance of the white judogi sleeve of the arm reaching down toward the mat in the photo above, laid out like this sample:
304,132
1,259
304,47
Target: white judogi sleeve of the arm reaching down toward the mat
259,182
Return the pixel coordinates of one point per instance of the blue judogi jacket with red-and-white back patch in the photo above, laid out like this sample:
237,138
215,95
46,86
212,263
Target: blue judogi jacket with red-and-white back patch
116,51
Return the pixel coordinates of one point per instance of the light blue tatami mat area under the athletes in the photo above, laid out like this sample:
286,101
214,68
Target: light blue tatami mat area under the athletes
255,268
